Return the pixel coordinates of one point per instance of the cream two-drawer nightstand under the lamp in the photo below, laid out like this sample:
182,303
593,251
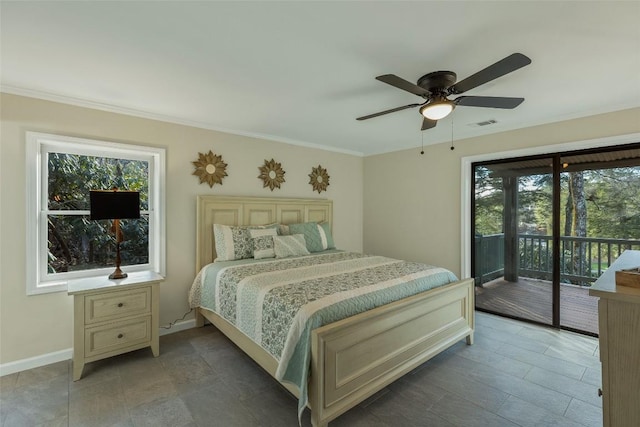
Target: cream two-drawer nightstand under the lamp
112,317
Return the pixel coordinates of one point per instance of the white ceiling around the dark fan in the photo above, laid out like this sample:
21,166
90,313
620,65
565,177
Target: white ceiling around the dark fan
301,72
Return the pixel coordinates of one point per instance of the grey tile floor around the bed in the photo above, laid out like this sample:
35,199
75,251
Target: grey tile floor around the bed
515,374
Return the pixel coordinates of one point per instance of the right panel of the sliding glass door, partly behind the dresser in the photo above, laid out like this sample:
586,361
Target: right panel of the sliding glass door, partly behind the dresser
600,193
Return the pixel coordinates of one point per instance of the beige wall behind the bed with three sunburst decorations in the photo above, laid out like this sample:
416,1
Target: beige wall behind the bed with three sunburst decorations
31,326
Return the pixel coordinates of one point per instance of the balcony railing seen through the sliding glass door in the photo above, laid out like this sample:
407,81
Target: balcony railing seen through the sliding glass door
582,259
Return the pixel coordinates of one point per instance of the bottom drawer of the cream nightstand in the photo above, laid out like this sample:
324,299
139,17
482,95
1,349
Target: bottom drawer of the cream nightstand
116,336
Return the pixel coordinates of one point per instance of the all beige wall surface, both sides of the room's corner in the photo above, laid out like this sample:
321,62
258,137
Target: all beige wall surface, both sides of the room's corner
406,205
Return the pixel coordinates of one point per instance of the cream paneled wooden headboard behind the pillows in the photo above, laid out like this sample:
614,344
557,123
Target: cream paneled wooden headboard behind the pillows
231,210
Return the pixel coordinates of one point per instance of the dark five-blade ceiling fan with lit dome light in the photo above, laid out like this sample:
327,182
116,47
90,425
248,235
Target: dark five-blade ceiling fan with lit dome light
435,87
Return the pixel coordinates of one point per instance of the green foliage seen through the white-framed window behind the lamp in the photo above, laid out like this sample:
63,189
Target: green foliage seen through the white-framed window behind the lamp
74,241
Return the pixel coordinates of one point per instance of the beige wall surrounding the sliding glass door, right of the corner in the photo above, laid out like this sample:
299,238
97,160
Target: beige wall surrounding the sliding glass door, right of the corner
412,202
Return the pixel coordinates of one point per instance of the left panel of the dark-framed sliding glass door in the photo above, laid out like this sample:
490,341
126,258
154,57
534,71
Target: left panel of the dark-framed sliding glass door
513,245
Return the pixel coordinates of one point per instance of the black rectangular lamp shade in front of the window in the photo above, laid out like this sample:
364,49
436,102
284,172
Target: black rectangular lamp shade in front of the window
114,204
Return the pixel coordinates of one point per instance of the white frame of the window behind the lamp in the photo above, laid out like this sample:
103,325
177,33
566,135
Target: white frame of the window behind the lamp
39,281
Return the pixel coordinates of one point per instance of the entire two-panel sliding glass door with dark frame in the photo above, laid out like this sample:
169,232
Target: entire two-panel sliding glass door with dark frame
546,228
